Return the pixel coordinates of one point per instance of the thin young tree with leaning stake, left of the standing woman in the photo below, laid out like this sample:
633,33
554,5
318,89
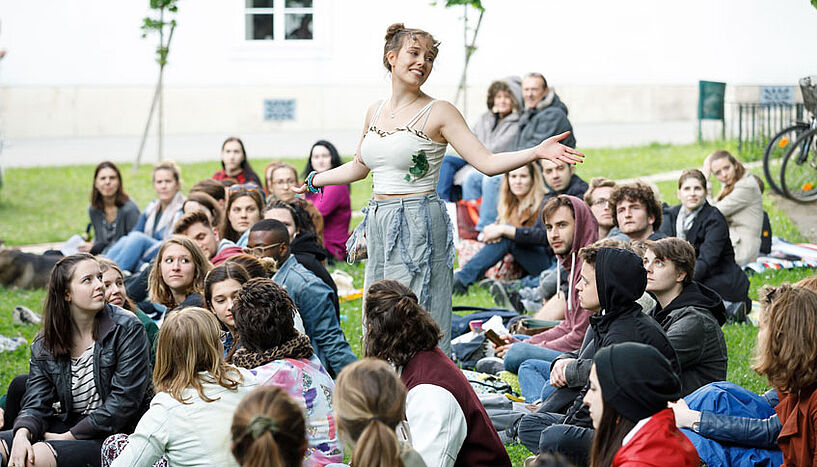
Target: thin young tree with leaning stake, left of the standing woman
164,8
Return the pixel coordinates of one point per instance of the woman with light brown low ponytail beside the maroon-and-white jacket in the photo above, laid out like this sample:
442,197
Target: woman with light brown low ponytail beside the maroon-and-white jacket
370,402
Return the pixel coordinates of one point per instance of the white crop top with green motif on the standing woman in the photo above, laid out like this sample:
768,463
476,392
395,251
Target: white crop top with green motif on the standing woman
391,156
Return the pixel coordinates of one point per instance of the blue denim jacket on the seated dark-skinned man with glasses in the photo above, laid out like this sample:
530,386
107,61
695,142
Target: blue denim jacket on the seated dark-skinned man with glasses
313,298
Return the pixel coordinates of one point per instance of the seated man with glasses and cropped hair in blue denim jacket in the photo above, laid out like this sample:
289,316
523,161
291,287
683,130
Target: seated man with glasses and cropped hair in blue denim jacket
313,298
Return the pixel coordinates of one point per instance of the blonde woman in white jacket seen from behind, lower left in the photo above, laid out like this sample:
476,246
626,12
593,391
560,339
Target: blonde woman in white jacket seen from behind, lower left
196,391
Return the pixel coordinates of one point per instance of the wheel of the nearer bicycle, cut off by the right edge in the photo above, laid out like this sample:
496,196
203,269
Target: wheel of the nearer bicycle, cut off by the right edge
798,171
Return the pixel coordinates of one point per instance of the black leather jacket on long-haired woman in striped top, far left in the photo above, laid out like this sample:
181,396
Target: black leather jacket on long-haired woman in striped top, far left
121,374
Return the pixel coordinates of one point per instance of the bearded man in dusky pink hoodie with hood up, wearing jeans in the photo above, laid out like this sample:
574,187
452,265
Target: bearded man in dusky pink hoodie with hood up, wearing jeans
570,226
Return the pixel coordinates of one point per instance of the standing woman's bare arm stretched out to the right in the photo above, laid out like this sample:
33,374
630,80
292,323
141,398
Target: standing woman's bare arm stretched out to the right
456,132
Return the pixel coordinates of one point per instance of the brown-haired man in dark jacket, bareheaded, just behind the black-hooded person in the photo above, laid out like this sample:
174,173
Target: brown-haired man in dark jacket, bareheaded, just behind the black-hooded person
690,313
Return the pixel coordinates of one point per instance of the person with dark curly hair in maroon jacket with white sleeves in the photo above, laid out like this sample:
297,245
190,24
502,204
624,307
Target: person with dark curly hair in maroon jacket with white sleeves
446,418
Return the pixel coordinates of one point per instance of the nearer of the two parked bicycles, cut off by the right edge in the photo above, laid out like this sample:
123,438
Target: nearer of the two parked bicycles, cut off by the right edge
798,170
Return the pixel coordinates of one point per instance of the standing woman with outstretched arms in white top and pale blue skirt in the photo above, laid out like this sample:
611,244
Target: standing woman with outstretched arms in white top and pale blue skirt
407,230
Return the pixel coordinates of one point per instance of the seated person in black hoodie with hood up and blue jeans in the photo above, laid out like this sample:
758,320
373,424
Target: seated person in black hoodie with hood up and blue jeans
611,280
